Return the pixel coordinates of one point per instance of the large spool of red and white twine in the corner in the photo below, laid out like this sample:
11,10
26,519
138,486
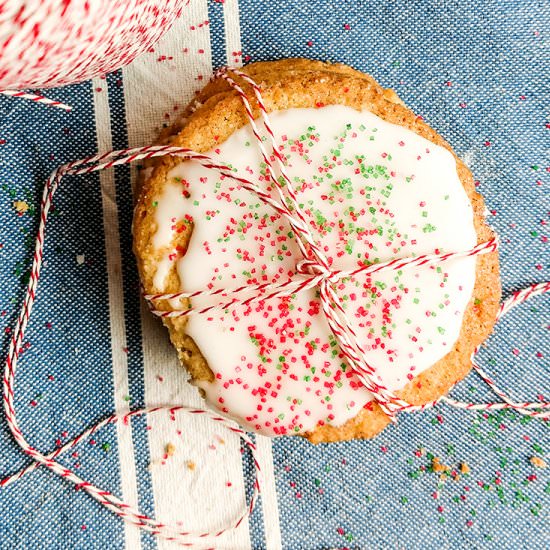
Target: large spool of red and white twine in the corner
49,43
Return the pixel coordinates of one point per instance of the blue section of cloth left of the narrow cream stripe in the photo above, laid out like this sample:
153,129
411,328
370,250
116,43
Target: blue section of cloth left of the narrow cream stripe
60,388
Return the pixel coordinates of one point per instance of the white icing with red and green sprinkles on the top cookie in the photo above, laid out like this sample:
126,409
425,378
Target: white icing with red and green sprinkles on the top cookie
372,191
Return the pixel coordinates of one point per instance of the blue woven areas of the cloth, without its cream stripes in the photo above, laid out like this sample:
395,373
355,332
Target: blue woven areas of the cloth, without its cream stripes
479,73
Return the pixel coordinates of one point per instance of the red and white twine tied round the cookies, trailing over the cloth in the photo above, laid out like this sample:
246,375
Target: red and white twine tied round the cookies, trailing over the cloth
313,270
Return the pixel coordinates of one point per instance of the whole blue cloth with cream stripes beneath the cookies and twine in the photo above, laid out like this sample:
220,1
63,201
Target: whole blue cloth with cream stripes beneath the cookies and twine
478,72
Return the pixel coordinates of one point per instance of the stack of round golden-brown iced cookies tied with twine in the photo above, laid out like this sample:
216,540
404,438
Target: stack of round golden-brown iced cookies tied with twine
375,183
